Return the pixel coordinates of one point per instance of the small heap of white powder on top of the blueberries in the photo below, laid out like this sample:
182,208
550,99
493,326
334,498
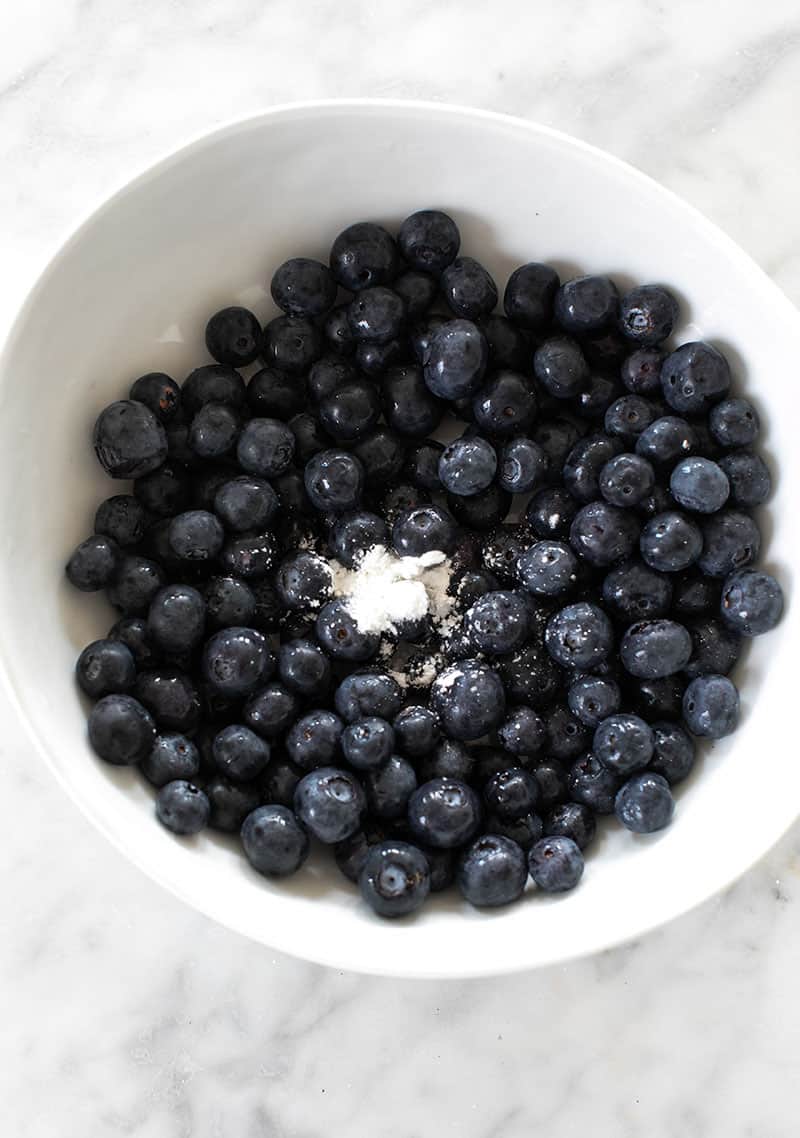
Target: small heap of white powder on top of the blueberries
385,591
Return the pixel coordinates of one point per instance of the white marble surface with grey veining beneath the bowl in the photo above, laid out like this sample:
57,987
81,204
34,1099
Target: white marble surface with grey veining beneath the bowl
123,1013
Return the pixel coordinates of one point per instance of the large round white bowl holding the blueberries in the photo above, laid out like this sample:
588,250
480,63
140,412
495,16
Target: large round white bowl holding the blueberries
130,293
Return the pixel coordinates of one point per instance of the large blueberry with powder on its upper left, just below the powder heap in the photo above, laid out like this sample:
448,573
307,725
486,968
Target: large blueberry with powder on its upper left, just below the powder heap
469,700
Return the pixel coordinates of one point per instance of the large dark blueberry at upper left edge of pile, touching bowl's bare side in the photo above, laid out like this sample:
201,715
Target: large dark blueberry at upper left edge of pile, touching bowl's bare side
129,440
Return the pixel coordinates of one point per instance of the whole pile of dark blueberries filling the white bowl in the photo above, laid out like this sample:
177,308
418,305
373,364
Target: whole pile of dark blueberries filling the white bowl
596,508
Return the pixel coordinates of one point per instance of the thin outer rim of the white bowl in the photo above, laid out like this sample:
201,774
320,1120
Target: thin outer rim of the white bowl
329,953
